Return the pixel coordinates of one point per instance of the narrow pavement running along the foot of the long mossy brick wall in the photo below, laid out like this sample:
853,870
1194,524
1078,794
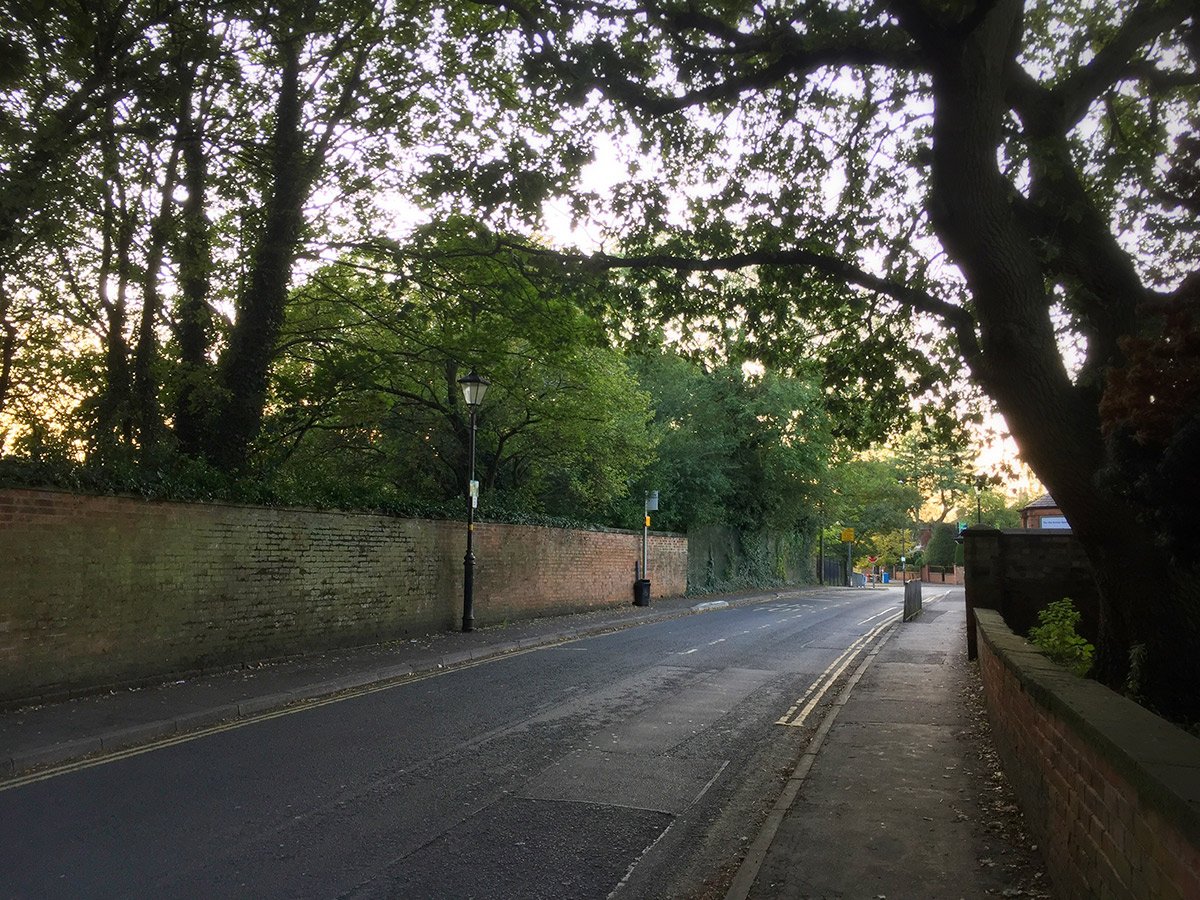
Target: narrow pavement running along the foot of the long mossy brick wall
41,736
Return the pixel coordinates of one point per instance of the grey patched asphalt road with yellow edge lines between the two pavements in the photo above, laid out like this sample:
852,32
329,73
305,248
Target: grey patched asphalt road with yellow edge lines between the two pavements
638,764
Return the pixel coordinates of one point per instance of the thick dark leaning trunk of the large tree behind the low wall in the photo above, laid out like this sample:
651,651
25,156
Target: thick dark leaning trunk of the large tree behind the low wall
1055,423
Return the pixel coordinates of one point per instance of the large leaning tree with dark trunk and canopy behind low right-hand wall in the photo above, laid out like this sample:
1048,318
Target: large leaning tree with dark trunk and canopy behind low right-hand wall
838,153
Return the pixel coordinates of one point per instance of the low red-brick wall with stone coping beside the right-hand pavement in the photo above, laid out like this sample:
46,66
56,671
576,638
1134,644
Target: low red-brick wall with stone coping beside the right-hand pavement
1111,791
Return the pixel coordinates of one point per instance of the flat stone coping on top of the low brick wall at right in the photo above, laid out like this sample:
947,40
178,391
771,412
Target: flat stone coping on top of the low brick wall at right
1161,761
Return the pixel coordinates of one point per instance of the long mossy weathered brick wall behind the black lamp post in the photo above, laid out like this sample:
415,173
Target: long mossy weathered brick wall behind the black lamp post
106,591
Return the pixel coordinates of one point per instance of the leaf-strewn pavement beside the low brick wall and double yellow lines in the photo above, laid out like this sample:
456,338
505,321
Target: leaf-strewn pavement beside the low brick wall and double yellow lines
899,793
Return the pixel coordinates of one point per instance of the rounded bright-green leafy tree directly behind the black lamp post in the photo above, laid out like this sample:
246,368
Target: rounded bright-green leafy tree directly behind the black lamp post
367,403
